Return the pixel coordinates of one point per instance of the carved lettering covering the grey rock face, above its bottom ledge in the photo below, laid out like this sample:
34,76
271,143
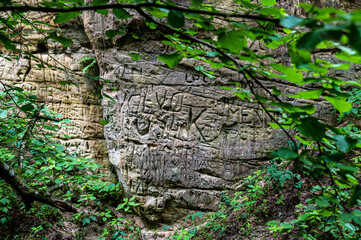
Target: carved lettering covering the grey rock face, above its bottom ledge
164,135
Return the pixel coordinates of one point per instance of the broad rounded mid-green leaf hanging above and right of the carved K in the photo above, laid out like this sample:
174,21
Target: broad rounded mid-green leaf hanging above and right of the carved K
234,41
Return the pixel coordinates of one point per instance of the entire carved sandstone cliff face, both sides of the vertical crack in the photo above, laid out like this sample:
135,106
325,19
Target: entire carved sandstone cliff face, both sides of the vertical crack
175,138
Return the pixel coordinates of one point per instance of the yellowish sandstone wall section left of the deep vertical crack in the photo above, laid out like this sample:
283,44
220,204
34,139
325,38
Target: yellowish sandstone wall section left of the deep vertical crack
78,103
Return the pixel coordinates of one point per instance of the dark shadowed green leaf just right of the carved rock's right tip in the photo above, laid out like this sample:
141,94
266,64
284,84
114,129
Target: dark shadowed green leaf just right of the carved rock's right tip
312,128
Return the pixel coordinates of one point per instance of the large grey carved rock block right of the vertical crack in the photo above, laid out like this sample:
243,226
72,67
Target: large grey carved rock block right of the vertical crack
175,138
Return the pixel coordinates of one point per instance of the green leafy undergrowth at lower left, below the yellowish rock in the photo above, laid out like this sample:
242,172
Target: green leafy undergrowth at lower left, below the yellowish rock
48,168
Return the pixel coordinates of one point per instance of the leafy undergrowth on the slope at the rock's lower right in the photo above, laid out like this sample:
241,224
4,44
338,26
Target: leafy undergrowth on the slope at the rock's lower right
309,194
